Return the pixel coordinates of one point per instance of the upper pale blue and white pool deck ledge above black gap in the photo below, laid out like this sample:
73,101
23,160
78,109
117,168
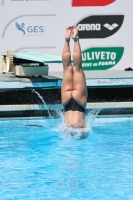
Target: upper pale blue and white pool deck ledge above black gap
93,79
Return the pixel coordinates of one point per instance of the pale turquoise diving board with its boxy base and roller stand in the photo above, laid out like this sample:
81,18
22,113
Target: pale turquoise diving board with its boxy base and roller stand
25,64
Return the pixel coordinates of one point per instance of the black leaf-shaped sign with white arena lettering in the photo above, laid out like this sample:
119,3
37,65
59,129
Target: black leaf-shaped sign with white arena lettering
100,26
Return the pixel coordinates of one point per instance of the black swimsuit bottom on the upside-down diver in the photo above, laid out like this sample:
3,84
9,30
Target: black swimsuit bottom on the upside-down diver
74,106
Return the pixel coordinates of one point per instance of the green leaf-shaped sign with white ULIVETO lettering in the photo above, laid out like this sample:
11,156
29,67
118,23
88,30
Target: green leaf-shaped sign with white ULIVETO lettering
101,58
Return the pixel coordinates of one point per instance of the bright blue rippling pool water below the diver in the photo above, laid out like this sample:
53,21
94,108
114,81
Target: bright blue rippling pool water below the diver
38,163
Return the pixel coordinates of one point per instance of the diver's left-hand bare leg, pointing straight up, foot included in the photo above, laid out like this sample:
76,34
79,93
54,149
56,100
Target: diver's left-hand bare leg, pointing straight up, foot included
67,82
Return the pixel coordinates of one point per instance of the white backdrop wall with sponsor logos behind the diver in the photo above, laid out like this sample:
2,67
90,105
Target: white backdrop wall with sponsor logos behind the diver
48,19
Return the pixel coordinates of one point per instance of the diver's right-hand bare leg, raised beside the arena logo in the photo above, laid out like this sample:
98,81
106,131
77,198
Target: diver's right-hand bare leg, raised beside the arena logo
79,82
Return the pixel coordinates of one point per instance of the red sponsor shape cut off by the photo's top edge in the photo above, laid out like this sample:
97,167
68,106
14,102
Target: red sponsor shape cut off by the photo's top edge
92,2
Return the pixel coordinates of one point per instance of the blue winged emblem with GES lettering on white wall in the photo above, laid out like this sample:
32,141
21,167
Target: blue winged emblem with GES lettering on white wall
30,29
